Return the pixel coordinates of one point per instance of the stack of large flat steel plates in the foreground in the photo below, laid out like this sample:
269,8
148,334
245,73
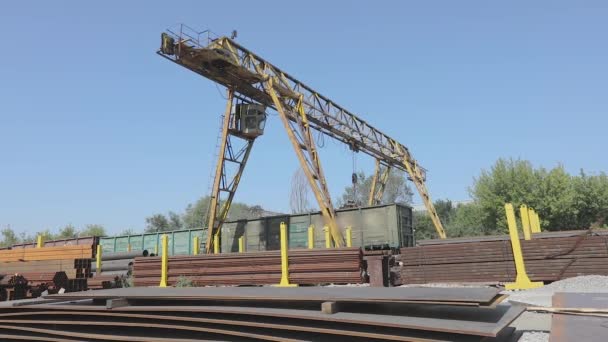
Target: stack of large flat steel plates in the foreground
263,313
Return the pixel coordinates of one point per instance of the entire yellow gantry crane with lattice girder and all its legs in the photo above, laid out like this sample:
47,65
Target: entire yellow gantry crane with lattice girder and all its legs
254,86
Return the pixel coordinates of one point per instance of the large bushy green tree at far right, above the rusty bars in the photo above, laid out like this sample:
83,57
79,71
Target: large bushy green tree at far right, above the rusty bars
562,201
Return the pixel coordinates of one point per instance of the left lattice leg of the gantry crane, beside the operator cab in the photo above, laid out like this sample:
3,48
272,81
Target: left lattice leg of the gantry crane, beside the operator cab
224,187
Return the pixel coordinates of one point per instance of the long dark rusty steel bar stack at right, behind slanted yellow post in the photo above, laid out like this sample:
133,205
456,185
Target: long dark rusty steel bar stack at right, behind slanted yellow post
548,257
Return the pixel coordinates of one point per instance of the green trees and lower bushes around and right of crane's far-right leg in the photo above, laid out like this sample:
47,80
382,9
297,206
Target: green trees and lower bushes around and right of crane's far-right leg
563,201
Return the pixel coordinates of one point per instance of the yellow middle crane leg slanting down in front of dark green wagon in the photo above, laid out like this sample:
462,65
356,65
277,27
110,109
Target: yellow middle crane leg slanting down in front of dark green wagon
304,145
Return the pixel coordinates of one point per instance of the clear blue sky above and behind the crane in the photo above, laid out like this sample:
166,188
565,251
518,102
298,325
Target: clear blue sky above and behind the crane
96,128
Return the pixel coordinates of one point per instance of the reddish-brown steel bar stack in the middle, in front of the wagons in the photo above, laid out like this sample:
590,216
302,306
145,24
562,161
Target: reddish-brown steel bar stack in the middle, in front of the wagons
306,266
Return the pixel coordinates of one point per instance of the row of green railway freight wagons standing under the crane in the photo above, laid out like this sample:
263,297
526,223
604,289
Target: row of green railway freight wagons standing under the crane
377,227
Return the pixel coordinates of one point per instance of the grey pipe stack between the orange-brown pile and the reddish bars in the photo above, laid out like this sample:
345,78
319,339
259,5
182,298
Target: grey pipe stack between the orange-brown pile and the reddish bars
115,269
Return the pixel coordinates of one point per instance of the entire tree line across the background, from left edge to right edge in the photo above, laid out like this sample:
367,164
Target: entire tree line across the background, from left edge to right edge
563,201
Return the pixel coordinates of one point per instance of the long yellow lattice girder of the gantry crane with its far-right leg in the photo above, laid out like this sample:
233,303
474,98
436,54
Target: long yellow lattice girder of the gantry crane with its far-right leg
230,64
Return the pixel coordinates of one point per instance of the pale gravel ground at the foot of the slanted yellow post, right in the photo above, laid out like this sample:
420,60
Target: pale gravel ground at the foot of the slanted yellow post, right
542,295
